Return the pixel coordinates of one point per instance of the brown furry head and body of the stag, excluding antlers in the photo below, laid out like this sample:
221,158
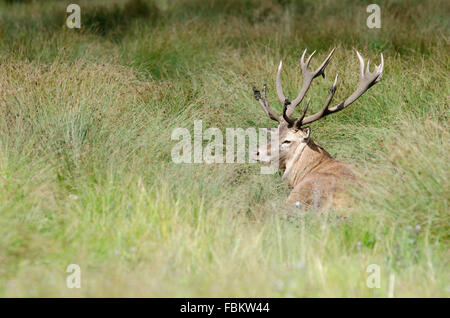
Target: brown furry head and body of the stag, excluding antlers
317,179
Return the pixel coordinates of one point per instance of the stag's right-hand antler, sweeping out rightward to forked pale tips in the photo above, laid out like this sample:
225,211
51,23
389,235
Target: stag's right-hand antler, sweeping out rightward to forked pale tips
366,80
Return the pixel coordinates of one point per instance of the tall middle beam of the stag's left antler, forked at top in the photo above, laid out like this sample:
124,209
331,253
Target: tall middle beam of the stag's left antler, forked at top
308,76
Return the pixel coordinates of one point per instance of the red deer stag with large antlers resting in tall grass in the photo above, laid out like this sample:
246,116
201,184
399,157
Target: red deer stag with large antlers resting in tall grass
316,178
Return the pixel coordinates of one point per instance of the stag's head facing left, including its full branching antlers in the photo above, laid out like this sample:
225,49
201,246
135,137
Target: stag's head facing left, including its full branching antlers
293,135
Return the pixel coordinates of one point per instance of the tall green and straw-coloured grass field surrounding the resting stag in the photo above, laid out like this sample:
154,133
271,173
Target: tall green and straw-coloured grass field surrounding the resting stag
86,175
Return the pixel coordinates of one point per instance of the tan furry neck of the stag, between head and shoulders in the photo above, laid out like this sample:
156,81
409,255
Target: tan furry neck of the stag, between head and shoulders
307,158
